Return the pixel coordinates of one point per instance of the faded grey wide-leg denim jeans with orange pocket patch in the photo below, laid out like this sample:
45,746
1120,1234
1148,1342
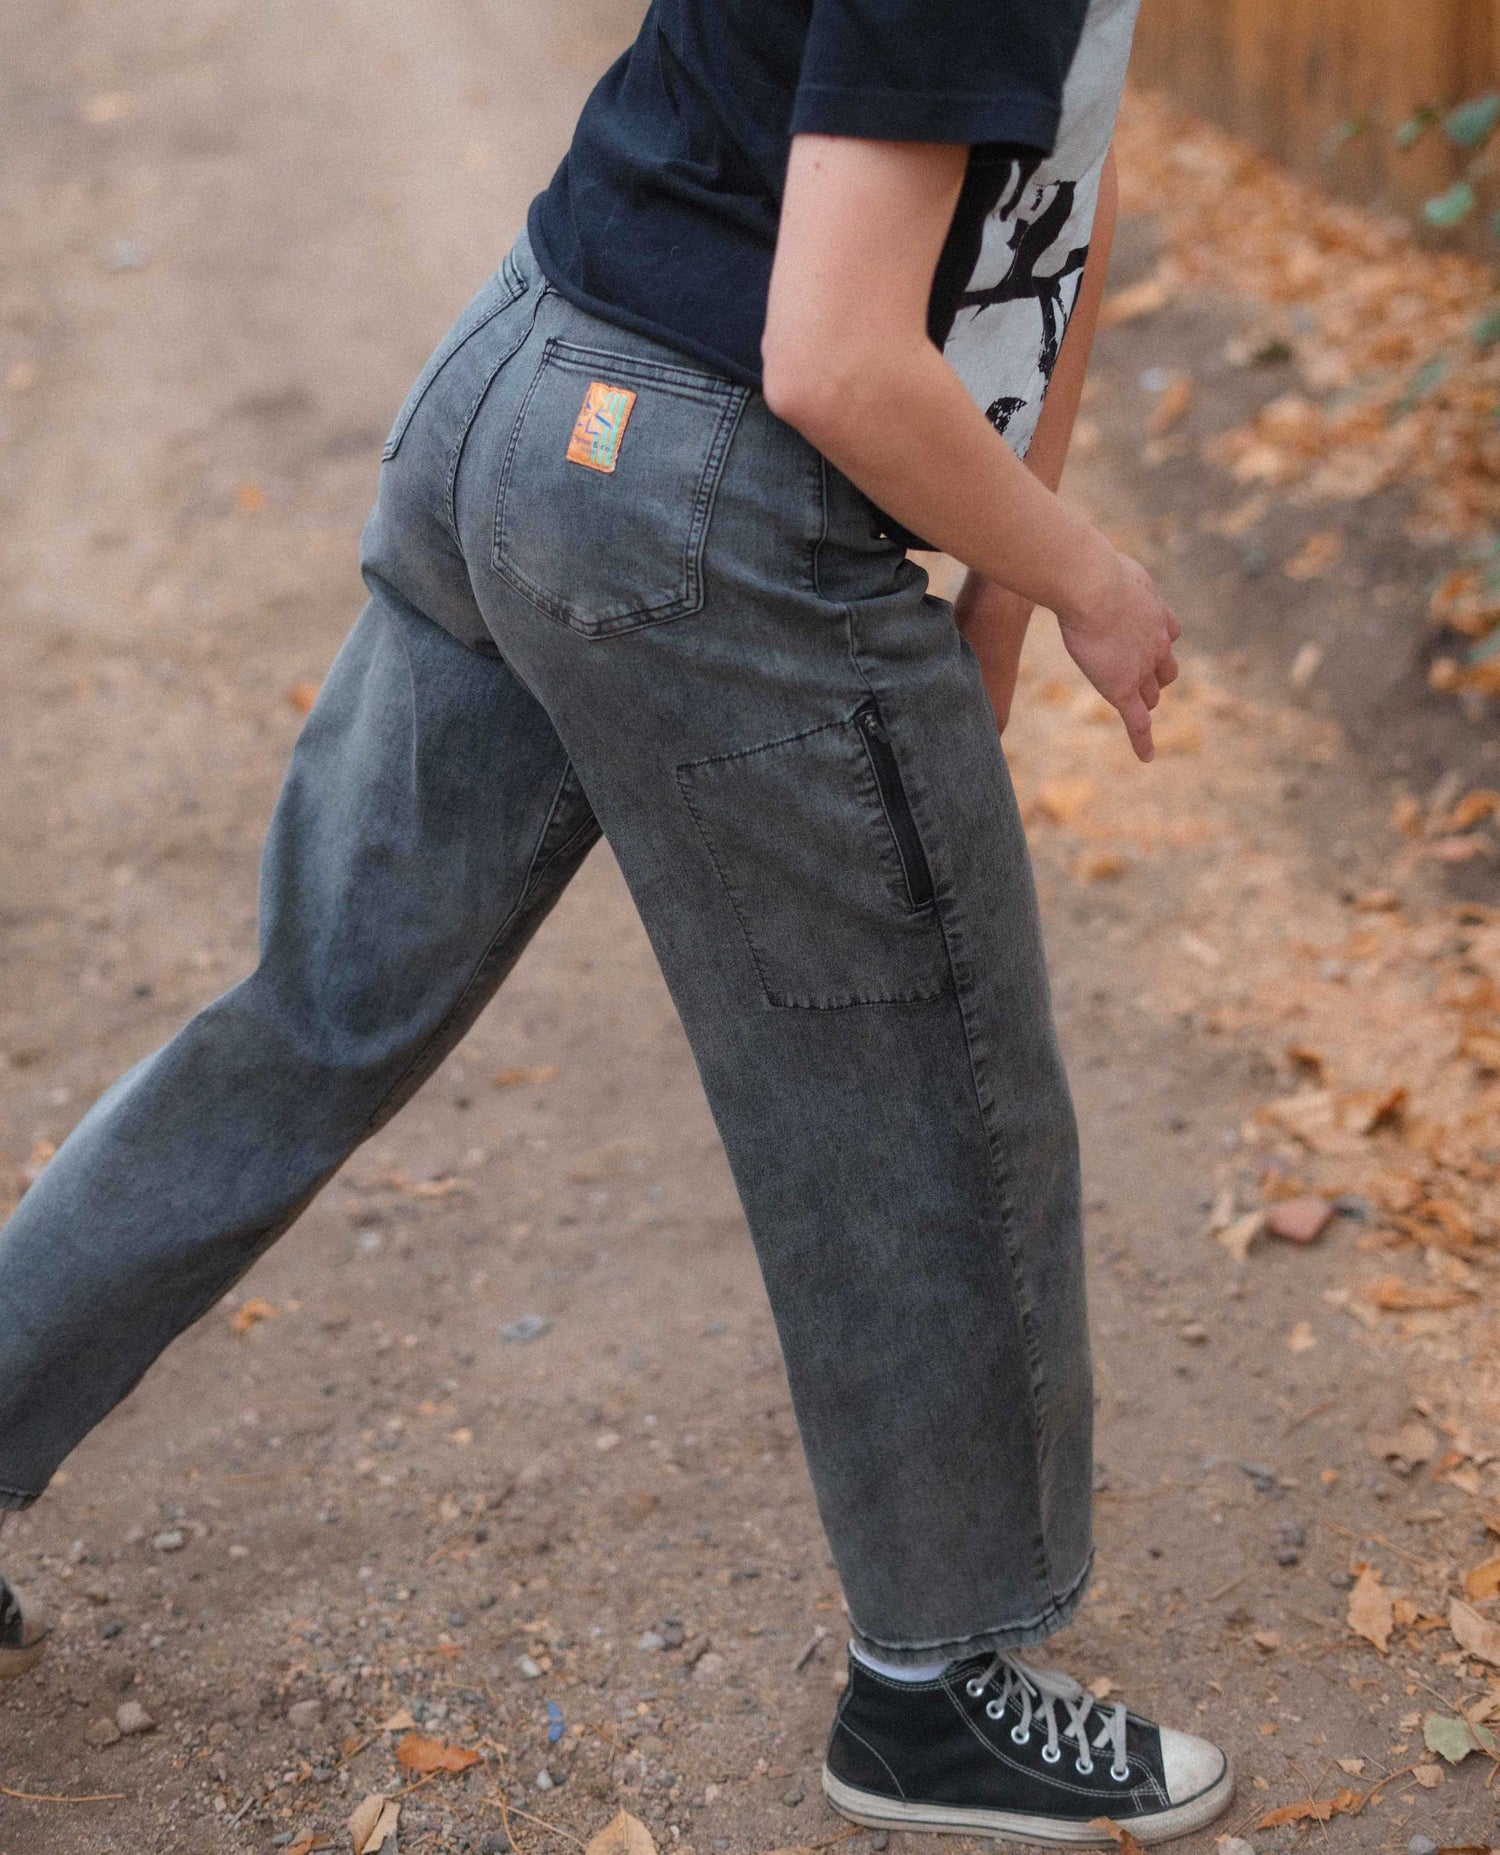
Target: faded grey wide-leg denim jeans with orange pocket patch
611,591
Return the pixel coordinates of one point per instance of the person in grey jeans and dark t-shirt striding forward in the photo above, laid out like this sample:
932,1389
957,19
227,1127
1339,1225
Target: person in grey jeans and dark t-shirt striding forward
813,281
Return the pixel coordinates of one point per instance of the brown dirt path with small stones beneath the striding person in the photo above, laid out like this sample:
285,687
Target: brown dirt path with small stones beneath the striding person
498,1440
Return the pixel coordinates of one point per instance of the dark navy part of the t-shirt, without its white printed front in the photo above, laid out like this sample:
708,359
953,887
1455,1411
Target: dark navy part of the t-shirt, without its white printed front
665,211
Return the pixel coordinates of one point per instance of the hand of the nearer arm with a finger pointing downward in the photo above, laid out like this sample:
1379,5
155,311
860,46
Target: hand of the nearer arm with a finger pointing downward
1121,635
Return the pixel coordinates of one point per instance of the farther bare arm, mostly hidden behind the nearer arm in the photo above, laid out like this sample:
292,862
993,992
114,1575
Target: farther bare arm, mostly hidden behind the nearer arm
991,617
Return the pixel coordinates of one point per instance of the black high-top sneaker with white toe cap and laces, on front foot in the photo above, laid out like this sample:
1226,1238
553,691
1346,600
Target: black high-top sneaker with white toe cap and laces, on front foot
998,1748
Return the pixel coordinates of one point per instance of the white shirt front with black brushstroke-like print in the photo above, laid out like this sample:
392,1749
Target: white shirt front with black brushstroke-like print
1015,311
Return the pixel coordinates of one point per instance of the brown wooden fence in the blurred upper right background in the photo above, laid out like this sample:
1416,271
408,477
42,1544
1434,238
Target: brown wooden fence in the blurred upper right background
1291,73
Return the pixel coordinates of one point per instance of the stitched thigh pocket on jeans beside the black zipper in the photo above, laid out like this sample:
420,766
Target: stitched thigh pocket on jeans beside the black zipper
819,849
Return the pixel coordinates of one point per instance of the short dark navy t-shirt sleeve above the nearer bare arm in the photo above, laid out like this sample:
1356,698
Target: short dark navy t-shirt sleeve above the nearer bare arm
963,71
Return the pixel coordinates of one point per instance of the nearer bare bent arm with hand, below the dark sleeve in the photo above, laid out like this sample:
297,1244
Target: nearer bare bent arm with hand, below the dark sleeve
850,365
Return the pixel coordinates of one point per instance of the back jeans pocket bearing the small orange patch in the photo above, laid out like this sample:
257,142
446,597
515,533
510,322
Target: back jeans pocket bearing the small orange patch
609,483
